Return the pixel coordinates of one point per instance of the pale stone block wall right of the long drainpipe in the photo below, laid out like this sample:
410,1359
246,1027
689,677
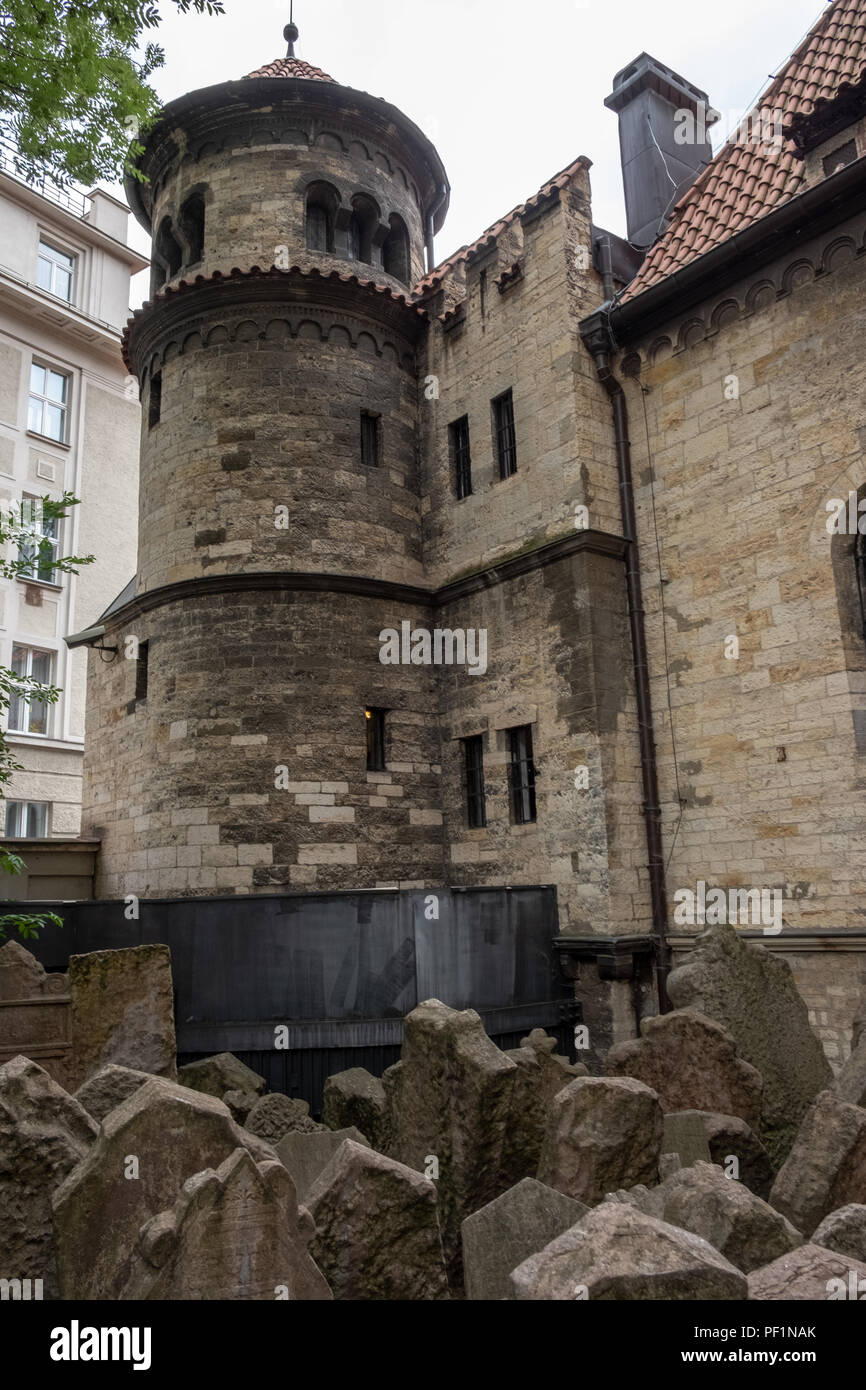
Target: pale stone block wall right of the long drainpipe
771,749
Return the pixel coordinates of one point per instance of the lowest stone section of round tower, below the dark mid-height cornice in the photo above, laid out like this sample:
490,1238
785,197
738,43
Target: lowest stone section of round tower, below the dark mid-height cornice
184,787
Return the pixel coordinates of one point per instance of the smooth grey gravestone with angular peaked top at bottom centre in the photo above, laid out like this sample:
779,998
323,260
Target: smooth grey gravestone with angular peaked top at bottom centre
504,1234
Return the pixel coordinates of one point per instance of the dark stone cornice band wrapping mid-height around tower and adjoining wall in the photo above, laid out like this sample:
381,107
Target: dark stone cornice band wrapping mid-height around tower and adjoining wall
596,543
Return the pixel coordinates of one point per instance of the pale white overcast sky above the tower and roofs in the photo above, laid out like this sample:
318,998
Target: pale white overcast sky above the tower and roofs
509,94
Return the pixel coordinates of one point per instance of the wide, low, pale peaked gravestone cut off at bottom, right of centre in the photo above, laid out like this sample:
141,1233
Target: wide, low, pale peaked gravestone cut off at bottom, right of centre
618,1253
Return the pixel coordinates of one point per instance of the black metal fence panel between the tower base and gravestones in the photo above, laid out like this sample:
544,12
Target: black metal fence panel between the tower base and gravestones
338,971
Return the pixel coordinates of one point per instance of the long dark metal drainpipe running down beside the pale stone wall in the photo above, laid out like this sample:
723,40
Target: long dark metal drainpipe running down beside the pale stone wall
650,774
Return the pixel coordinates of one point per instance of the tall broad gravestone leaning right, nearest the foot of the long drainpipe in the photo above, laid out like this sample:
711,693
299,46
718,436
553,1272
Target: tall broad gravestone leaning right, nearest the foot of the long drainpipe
754,996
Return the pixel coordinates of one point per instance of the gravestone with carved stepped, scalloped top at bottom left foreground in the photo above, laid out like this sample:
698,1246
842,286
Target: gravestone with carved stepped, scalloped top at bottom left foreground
234,1235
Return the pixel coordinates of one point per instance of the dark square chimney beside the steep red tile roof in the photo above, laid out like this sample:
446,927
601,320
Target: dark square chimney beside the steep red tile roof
664,142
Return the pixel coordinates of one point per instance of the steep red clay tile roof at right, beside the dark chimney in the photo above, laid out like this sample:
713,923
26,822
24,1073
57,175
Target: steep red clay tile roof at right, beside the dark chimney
750,179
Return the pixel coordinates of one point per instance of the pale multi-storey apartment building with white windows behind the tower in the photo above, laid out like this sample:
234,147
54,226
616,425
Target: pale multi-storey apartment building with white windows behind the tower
69,422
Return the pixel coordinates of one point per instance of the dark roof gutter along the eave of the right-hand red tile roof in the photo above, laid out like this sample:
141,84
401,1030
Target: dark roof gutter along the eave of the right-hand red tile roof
819,208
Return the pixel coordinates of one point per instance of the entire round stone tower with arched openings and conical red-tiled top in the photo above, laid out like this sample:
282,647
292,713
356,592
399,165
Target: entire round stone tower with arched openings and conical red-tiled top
230,739
